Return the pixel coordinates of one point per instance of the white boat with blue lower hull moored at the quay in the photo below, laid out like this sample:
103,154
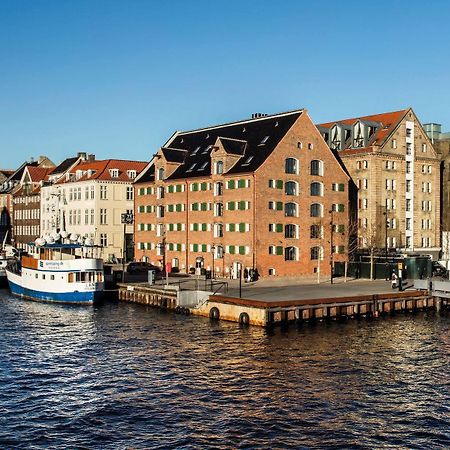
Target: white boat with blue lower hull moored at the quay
56,274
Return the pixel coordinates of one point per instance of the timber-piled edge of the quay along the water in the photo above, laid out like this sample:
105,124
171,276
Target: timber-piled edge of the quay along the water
271,313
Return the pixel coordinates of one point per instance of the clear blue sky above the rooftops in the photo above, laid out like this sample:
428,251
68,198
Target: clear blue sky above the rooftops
118,78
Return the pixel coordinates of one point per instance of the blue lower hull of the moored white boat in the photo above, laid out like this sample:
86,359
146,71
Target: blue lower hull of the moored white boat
87,298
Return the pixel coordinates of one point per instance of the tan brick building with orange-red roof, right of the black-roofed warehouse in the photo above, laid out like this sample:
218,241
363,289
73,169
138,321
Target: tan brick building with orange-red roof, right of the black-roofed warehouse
397,171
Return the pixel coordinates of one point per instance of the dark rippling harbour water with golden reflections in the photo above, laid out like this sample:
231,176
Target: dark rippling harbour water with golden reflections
127,376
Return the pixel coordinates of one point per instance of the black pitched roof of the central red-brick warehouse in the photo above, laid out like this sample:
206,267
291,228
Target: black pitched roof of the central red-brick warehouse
254,139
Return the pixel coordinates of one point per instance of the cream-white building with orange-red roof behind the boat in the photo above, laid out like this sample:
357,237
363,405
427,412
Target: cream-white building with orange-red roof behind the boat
89,199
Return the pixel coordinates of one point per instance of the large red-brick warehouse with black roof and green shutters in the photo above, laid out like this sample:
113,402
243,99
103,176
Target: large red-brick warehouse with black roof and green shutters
261,193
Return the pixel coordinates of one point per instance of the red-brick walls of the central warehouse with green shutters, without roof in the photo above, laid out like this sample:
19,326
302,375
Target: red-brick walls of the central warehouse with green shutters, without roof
255,211
